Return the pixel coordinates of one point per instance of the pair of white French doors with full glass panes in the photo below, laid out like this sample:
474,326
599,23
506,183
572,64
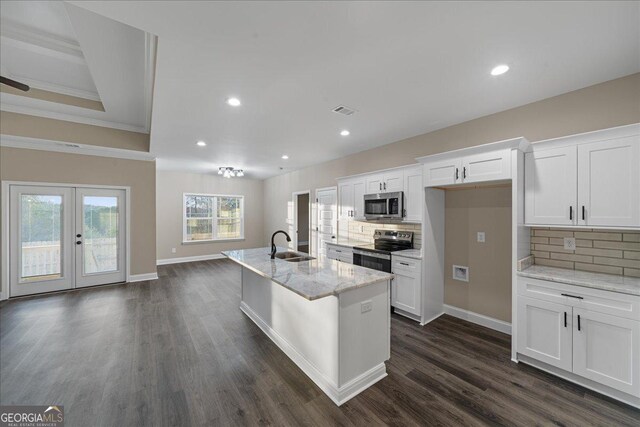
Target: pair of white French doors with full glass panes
65,237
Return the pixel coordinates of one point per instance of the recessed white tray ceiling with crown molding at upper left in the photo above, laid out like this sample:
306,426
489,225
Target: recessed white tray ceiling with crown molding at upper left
61,48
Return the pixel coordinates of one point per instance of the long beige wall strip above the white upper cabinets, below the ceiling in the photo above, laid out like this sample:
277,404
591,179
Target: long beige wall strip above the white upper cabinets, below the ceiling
605,105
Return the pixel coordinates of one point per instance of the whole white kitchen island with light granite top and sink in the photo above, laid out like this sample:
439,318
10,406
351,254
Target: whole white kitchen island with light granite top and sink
331,318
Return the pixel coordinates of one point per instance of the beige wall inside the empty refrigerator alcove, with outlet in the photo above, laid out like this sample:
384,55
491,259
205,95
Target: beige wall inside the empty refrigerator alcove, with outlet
466,213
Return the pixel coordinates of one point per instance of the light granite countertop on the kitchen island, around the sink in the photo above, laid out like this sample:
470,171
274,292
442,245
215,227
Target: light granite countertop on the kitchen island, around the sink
317,278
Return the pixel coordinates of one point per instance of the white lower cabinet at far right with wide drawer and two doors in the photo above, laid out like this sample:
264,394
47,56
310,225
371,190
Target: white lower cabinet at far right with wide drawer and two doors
591,333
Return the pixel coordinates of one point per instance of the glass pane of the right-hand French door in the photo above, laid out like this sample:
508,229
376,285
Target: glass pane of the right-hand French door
100,234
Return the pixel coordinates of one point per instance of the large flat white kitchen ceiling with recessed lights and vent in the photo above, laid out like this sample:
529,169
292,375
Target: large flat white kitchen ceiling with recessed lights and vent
407,67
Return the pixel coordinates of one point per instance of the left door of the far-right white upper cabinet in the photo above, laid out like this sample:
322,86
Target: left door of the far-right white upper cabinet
551,185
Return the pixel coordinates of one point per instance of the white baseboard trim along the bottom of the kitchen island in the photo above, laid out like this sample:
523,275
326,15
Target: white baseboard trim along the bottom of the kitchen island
338,395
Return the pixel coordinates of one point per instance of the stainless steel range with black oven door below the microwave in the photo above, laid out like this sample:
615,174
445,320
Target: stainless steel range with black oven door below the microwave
378,255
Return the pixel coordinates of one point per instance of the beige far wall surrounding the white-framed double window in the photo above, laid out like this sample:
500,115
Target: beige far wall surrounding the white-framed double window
172,185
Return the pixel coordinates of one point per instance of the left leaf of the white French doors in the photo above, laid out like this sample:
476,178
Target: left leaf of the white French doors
40,239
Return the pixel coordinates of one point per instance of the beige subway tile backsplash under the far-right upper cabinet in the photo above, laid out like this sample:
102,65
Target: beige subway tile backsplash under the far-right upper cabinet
600,251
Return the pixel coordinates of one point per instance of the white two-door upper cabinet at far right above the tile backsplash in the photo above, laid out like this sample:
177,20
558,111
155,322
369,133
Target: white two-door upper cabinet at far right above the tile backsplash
585,180
